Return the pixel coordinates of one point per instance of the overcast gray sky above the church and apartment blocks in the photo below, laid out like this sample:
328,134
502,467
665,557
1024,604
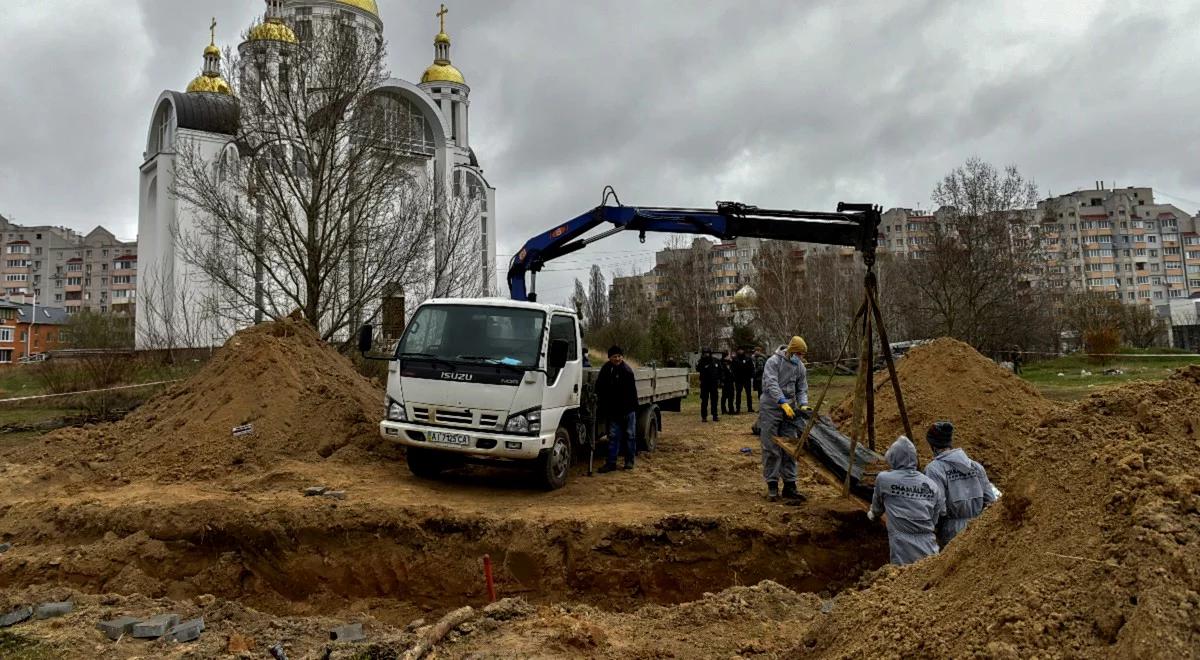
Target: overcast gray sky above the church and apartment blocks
777,104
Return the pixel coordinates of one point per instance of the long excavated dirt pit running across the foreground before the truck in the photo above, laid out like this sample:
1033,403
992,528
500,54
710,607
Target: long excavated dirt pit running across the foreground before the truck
418,562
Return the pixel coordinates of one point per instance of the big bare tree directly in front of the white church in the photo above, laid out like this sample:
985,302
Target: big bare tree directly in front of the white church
323,197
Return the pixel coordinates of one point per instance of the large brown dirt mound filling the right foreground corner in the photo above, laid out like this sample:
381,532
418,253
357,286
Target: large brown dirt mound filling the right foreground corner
1094,550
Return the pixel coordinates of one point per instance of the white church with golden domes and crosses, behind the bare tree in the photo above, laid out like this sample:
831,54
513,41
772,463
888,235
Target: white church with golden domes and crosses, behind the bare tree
207,116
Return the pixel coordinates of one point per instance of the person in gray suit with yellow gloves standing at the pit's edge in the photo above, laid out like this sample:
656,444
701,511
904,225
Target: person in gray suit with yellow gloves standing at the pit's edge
785,394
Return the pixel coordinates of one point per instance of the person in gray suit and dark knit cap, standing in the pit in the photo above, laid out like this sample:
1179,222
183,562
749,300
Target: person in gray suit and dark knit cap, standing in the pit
964,482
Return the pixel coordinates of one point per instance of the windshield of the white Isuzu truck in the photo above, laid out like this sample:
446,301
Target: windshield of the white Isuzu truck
475,334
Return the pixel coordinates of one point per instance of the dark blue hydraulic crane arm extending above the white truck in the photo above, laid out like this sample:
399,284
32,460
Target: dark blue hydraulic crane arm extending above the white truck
854,226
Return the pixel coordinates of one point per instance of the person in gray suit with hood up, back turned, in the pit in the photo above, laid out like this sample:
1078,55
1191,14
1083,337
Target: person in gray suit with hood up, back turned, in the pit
913,502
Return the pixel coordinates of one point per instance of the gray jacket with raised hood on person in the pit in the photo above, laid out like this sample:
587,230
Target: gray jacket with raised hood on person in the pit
913,501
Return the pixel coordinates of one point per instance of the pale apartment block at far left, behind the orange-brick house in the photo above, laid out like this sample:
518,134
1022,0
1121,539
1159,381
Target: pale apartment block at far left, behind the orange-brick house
65,269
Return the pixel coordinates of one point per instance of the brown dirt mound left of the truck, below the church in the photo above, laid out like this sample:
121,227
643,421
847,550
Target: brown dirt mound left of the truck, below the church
301,398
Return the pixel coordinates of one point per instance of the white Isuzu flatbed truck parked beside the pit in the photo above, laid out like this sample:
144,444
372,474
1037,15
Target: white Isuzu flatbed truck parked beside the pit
505,382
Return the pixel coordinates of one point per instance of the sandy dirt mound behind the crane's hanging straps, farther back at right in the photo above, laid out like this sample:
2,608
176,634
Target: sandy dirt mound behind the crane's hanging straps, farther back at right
993,410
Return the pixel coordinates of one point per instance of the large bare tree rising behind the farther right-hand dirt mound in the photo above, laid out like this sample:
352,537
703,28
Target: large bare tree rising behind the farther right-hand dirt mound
974,281
